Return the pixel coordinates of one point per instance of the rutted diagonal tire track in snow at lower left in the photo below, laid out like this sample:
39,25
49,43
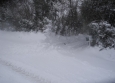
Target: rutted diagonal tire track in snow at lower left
20,70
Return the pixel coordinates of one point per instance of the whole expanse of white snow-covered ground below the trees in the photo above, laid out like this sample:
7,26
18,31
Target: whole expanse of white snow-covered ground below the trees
46,58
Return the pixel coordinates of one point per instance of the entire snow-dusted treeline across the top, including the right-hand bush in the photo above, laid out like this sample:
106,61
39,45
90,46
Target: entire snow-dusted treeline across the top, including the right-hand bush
65,17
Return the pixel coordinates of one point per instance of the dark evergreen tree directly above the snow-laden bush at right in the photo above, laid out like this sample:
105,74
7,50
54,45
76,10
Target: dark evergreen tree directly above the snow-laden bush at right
92,10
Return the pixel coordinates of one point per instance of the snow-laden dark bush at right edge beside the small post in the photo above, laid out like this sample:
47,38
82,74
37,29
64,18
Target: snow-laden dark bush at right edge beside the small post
102,34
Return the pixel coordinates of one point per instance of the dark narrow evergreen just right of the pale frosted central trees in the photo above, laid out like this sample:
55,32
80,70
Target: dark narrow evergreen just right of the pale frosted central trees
72,21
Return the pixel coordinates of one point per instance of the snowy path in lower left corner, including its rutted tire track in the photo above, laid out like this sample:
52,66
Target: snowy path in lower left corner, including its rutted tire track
8,67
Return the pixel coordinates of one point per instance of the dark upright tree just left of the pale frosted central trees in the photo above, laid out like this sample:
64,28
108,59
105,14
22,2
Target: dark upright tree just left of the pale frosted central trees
41,11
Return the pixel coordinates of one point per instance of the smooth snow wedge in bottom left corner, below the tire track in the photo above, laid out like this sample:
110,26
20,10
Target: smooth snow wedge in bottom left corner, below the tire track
7,76
